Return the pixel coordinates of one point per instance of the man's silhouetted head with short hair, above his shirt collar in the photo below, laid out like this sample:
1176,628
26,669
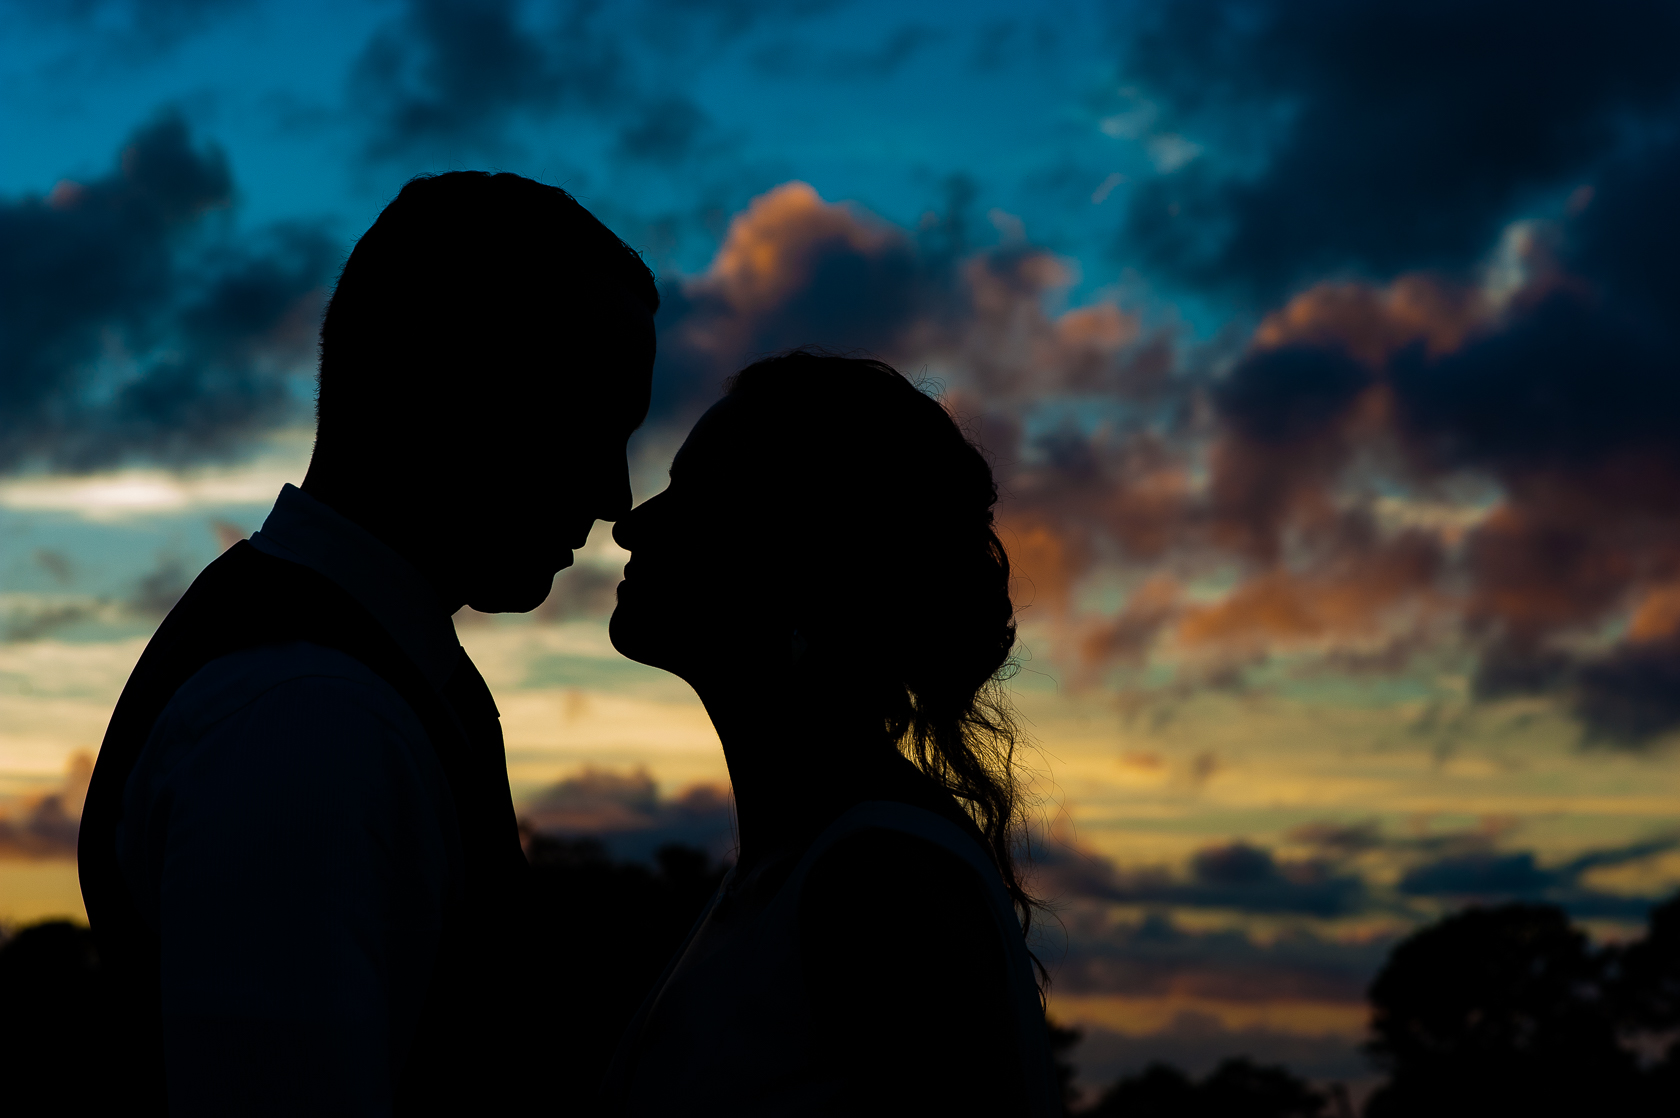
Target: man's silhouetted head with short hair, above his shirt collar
485,359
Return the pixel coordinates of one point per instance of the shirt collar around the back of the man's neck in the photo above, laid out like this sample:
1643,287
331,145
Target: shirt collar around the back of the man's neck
308,532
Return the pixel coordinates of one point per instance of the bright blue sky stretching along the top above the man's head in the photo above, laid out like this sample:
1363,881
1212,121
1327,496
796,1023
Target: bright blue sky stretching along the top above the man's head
866,102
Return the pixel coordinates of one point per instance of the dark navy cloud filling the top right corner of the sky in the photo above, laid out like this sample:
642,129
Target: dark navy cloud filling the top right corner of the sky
1377,137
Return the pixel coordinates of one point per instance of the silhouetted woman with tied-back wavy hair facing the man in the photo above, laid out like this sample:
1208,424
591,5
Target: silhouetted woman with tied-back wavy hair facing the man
824,572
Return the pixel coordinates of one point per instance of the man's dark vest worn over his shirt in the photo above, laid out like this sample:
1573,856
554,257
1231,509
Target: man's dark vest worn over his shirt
473,1047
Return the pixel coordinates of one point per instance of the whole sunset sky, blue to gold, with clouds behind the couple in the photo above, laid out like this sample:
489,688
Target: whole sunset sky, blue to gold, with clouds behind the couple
1328,356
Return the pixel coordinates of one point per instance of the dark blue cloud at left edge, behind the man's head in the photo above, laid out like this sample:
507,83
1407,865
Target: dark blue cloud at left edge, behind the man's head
134,325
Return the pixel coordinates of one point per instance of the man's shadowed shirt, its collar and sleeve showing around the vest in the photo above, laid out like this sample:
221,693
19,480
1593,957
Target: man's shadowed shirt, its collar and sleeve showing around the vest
291,836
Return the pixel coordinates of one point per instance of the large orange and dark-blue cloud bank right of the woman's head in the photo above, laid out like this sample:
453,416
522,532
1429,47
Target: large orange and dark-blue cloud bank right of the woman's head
1546,382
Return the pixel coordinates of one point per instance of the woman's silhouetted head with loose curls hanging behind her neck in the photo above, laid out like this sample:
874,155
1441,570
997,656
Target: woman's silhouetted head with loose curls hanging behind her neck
829,527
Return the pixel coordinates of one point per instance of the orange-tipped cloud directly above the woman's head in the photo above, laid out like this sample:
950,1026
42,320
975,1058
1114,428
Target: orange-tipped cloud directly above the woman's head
795,270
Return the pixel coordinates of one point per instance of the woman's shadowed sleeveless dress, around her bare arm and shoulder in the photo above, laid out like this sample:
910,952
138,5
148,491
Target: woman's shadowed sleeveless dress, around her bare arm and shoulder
727,1030
